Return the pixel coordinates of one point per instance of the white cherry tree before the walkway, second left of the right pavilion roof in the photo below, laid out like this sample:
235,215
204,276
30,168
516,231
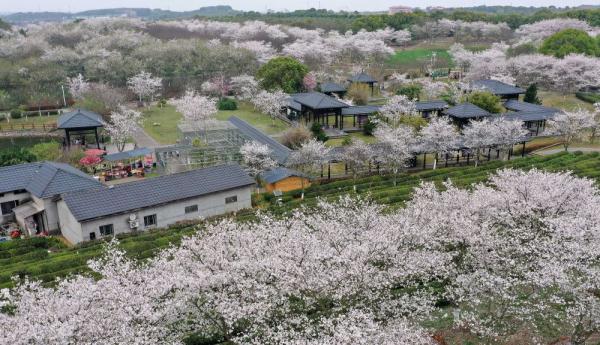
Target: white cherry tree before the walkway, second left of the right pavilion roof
394,147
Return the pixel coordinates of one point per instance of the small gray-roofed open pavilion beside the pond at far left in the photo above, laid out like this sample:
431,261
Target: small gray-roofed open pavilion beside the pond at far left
80,122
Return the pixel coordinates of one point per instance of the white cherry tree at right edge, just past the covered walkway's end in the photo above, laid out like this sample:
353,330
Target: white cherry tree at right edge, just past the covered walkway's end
570,125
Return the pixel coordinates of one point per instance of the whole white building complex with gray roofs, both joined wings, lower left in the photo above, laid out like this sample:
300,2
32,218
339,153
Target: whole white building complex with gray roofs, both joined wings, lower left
57,198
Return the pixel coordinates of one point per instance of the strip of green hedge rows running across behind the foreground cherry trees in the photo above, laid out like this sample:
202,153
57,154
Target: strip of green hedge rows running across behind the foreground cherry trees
33,258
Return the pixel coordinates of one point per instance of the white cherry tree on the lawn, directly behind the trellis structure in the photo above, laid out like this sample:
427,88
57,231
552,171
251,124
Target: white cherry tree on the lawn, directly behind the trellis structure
197,110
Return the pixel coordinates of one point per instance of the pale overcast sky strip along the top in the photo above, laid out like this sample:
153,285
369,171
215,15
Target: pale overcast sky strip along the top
262,5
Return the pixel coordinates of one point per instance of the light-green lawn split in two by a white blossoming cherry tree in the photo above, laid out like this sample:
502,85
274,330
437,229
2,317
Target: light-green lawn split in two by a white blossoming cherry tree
161,123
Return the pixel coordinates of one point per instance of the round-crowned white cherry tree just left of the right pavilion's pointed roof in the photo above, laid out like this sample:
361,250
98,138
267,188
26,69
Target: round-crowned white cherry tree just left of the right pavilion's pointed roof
439,137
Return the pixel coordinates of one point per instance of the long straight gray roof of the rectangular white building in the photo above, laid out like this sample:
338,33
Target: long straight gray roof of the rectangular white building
127,197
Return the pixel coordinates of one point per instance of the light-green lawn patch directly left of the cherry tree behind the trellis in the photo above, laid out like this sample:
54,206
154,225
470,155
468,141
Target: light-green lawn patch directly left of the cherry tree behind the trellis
161,123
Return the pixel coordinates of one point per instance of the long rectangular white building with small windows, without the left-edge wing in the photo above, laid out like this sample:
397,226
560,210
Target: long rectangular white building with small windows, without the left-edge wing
154,203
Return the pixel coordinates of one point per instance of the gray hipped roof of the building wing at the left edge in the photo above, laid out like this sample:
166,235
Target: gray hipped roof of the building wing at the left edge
44,179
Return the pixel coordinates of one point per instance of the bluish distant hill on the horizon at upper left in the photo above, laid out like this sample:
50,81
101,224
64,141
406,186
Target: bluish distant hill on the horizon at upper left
143,13
